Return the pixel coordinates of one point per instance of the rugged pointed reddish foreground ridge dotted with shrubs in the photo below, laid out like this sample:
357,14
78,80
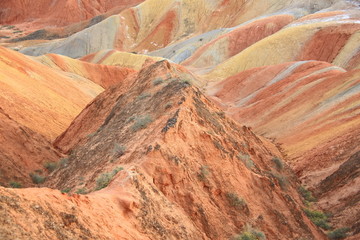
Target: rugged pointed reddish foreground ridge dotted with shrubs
187,172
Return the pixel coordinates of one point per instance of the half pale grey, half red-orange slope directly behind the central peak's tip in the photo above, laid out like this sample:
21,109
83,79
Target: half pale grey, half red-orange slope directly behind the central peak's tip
211,48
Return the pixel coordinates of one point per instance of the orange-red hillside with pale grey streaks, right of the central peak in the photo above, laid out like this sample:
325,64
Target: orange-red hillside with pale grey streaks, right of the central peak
304,105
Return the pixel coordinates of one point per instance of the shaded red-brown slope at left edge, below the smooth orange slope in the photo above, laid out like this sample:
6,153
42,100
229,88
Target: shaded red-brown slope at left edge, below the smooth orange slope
22,151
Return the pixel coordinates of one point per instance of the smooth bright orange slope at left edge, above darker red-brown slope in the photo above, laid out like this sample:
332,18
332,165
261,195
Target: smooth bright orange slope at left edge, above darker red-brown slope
40,98
